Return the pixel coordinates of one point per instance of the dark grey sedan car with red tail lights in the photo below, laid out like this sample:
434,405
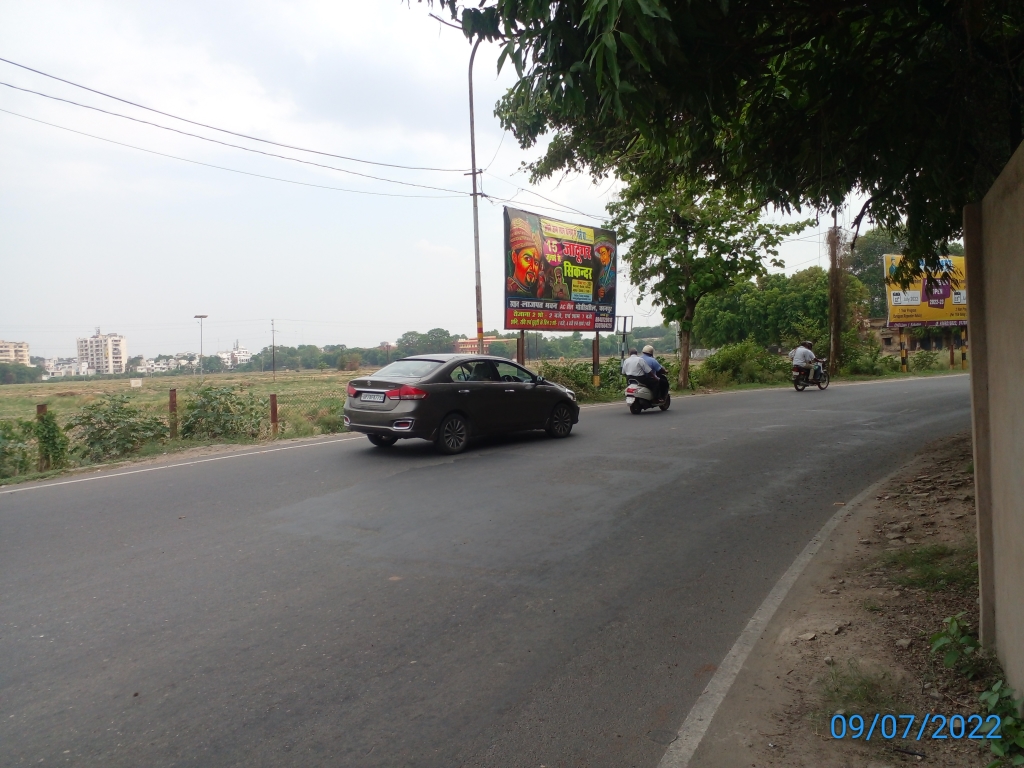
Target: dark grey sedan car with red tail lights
449,399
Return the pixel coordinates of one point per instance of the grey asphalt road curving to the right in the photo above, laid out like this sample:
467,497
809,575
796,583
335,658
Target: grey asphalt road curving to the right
532,603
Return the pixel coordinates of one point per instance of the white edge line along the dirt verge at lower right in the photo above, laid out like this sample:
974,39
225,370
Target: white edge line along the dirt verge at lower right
698,721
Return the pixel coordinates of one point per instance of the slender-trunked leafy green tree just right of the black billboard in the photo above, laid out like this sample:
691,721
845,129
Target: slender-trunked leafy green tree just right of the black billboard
690,241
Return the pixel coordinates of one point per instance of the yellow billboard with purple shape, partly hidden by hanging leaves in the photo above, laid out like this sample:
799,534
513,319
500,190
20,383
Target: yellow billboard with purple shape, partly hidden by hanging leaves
930,302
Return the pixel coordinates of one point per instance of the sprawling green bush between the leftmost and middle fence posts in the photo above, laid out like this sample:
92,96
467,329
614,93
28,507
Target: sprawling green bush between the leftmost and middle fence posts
113,428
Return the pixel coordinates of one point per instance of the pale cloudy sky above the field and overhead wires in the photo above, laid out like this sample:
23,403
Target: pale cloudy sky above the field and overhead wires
103,234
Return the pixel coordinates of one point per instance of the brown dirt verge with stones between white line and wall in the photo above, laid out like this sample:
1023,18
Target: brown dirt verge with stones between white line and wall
854,634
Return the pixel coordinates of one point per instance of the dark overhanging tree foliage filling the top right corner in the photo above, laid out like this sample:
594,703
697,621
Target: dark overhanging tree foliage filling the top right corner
916,105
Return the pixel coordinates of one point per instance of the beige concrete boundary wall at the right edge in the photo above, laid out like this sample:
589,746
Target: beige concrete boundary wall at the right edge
995,245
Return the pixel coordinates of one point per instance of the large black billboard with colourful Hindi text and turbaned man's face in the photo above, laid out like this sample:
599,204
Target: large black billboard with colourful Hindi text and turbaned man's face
559,276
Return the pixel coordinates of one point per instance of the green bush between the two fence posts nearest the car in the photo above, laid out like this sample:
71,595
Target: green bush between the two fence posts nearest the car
221,412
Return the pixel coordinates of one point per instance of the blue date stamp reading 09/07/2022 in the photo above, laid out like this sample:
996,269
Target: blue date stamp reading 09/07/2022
908,727
